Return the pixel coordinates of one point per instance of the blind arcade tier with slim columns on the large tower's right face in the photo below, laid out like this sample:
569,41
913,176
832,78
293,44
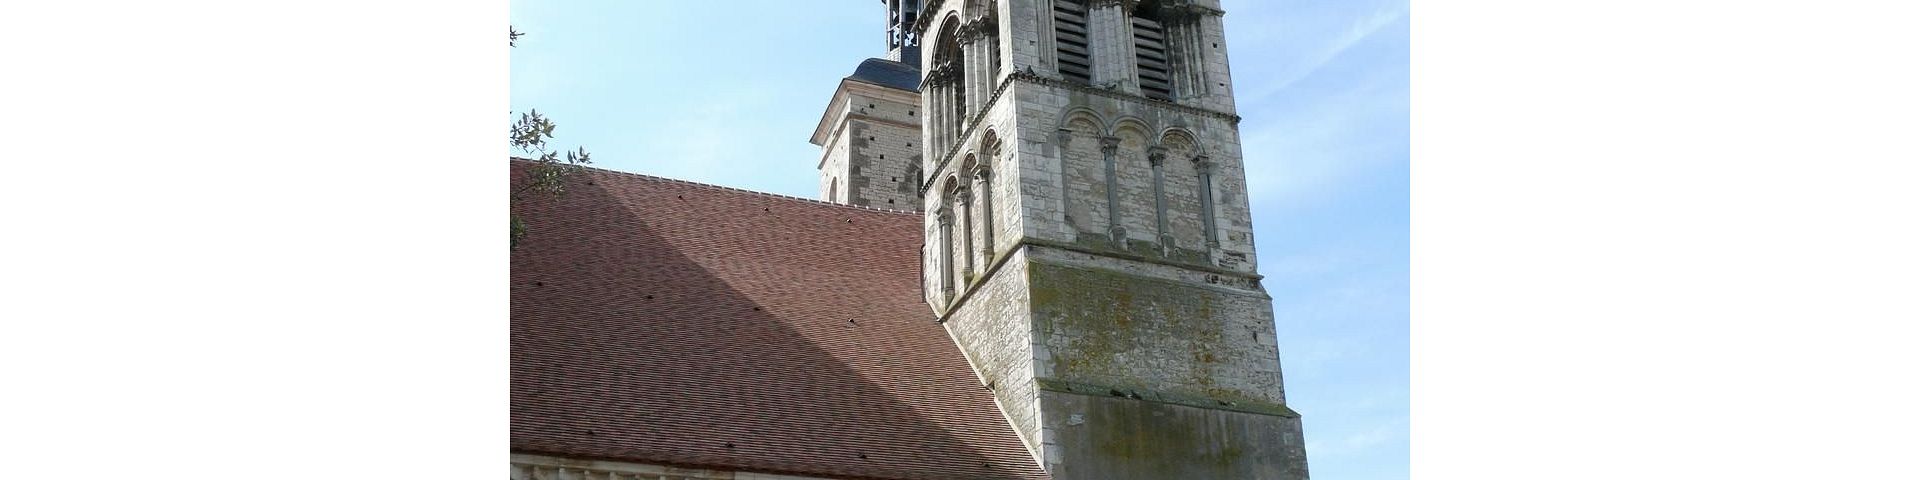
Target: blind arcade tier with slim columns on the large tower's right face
1065,176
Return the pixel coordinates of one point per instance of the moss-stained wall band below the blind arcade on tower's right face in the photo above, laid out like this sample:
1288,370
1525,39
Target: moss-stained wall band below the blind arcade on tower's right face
1105,324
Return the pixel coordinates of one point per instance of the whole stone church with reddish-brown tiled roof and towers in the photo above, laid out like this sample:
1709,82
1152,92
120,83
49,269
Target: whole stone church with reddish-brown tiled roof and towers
1030,258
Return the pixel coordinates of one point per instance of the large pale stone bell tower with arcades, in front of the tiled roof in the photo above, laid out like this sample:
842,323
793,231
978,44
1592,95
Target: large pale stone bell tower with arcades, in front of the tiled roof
1090,243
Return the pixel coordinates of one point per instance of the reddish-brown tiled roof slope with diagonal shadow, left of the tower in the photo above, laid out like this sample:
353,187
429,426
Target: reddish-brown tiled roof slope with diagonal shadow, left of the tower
665,322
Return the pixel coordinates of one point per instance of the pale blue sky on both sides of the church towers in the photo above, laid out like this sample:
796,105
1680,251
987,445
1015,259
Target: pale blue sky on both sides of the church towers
729,97
